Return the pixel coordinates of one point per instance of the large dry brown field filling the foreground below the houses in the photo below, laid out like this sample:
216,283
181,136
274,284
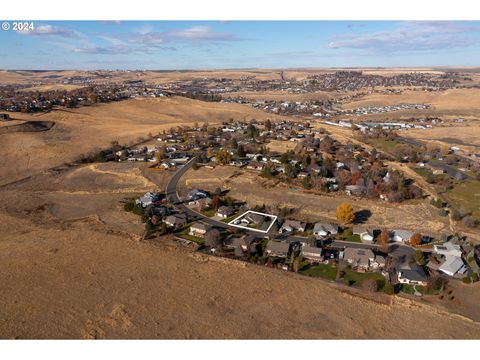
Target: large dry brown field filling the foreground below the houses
77,271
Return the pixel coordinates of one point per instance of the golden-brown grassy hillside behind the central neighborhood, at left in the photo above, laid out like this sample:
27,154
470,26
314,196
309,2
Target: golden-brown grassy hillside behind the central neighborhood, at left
88,129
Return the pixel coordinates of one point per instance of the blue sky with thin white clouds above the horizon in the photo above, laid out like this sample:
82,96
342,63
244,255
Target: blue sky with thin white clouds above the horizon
183,45
